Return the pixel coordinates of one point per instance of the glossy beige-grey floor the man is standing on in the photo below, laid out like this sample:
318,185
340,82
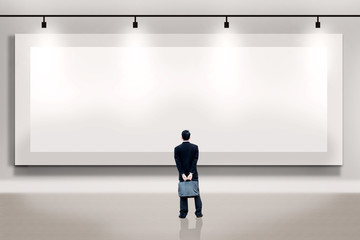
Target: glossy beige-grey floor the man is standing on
155,216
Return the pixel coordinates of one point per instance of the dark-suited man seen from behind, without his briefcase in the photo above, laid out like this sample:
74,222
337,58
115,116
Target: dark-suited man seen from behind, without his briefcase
186,156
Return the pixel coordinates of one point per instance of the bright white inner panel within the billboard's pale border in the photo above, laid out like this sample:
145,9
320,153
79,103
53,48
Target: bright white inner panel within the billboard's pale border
137,99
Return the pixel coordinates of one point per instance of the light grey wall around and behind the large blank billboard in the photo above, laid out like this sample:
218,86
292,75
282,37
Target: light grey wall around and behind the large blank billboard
349,27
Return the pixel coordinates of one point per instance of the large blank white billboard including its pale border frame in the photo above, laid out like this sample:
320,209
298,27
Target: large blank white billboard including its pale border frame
254,101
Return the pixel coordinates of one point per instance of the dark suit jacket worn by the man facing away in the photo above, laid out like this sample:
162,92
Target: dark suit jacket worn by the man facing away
186,156
